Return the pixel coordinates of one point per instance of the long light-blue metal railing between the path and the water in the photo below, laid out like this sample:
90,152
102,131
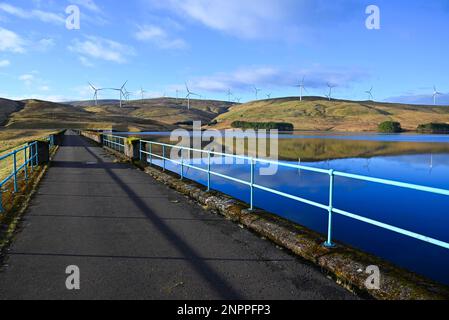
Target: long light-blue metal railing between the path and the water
146,148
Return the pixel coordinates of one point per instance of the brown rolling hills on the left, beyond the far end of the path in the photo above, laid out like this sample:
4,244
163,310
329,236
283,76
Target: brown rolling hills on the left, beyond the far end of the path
146,115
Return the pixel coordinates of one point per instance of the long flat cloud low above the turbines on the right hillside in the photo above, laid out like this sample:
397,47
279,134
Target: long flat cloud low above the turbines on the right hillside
245,78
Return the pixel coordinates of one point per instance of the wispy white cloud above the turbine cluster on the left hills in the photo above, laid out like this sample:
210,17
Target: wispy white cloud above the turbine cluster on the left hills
103,49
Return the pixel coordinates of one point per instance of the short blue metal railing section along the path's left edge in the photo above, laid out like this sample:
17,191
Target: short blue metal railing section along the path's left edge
30,161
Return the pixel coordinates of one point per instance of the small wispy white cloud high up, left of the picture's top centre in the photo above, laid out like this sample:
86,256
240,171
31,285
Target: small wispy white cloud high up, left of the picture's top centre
159,37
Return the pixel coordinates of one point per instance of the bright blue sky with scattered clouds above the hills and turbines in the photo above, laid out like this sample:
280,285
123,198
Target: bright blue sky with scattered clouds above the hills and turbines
218,45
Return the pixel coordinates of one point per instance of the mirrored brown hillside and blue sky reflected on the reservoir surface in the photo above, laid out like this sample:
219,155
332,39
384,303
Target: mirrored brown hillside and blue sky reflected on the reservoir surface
424,163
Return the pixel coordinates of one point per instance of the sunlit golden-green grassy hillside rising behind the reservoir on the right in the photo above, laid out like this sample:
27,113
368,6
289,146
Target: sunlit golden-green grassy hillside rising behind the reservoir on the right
315,113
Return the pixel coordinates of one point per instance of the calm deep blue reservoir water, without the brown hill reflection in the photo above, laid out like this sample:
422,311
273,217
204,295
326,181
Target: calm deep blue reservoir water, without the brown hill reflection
415,211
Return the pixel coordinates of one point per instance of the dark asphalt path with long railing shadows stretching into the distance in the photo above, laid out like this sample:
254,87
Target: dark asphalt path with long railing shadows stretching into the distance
133,238
